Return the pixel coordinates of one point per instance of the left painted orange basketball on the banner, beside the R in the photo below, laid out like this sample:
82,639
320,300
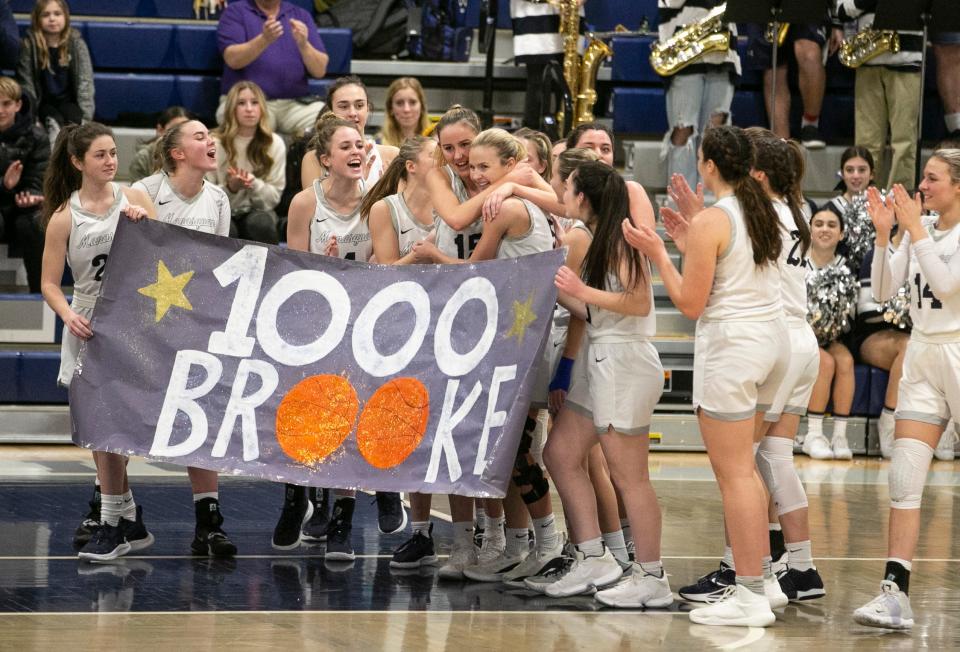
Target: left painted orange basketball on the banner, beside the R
315,416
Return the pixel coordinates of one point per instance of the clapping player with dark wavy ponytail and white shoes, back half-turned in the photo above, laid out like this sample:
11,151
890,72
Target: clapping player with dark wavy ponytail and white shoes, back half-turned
731,284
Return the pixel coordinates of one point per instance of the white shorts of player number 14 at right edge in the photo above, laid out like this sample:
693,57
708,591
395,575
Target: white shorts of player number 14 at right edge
930,386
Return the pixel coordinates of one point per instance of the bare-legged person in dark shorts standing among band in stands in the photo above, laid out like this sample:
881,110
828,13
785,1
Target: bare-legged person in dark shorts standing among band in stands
803,47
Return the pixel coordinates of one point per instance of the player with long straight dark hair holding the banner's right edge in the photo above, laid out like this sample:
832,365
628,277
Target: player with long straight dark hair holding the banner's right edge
617,382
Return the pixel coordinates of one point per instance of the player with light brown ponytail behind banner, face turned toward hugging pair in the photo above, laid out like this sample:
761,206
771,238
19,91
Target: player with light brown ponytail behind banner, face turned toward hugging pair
400,219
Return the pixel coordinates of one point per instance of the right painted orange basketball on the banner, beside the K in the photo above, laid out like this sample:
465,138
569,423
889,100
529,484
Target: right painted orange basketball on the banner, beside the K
393,422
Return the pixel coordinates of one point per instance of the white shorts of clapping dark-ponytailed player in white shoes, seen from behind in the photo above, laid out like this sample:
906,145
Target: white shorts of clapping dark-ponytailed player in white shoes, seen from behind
738,366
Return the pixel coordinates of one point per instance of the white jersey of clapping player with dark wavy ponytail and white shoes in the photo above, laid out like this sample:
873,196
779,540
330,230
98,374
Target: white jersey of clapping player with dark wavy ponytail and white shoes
742,290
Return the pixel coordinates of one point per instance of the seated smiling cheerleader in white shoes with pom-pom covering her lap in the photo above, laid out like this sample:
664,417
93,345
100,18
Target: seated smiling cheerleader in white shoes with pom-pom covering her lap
836,363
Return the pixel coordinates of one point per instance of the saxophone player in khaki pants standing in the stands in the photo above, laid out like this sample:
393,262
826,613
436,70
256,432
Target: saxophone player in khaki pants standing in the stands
885,95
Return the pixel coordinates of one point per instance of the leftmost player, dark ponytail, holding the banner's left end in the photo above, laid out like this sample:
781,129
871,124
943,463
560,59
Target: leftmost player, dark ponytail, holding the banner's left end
81,208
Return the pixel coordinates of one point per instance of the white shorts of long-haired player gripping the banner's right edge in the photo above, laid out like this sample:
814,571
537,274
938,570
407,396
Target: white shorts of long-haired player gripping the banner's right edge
617,384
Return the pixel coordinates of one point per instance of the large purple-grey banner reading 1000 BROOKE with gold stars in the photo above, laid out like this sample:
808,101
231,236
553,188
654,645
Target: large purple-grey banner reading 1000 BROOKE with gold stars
256,360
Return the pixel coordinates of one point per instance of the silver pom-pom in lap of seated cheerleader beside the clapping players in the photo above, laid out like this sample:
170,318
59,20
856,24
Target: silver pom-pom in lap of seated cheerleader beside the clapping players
831,301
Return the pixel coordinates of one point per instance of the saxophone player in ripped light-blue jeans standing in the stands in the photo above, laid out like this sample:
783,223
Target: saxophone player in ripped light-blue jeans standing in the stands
699,95
